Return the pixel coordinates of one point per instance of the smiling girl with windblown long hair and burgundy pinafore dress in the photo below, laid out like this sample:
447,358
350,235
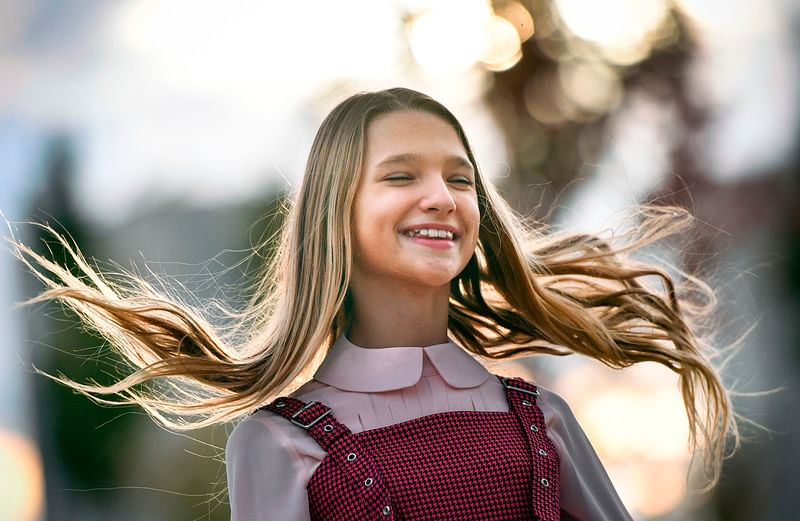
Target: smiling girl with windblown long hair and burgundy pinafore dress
399,269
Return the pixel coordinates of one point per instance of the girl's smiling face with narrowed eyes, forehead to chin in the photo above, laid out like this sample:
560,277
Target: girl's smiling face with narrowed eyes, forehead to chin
415,213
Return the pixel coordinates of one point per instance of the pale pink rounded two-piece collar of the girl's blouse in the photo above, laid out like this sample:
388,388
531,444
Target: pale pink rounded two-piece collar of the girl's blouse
353,368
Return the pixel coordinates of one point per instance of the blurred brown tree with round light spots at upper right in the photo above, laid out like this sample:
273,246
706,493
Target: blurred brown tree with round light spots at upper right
554,105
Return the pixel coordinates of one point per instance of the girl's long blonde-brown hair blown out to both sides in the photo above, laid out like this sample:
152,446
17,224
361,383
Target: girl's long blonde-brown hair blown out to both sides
523,291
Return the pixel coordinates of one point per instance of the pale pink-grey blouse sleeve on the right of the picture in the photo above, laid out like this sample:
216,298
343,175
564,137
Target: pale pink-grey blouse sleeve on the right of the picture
587,493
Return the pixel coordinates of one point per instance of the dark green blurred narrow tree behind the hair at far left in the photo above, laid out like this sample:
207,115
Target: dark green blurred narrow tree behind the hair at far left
80,441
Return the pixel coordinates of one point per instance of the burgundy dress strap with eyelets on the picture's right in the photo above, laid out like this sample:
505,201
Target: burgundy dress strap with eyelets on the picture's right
522,397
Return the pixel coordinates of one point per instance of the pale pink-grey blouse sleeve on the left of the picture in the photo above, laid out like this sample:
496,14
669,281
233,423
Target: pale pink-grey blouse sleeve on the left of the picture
266,475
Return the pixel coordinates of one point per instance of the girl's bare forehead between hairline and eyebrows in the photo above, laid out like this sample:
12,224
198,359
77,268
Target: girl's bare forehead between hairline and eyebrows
411,132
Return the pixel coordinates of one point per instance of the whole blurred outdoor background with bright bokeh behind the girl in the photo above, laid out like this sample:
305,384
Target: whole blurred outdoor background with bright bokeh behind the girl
162,134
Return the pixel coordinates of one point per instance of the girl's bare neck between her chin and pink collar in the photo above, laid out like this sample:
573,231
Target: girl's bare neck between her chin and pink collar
398,316
